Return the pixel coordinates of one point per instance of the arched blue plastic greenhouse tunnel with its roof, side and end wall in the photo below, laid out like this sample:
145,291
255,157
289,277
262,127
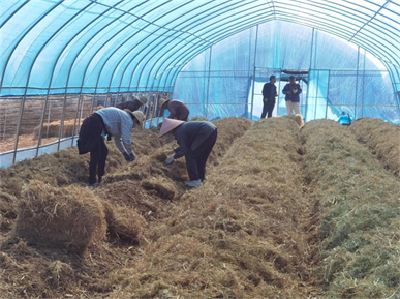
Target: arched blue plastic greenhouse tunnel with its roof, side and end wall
61,59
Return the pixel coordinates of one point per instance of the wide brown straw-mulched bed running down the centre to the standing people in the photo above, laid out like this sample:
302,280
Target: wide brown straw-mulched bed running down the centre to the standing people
239,235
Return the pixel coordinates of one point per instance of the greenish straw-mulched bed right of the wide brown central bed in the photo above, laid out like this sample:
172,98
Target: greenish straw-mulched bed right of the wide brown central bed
359,214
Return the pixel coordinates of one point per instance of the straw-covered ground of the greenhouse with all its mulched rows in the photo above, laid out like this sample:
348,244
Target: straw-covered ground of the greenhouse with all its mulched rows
286,211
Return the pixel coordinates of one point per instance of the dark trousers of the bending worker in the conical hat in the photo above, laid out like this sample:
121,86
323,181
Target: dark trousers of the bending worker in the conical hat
196,160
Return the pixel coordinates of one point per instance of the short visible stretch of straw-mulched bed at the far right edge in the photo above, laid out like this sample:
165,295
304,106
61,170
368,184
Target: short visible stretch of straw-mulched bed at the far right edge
383,140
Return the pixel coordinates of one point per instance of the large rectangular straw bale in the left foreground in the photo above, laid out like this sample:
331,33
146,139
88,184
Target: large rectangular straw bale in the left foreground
69,217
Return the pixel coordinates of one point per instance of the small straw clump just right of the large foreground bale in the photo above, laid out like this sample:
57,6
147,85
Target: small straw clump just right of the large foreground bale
124,224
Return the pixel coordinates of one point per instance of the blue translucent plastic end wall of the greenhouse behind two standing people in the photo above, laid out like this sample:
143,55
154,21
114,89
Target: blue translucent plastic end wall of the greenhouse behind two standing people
340,77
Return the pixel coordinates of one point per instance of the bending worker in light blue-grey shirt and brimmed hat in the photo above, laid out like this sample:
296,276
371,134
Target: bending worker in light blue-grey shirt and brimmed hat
110,122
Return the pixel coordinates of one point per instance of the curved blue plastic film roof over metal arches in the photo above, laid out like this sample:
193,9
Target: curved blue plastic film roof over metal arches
86,46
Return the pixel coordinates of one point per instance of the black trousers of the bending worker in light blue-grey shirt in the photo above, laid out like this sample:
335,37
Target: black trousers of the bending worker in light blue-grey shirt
90,140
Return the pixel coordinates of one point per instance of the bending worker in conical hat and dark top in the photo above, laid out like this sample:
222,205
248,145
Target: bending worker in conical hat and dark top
196,140
